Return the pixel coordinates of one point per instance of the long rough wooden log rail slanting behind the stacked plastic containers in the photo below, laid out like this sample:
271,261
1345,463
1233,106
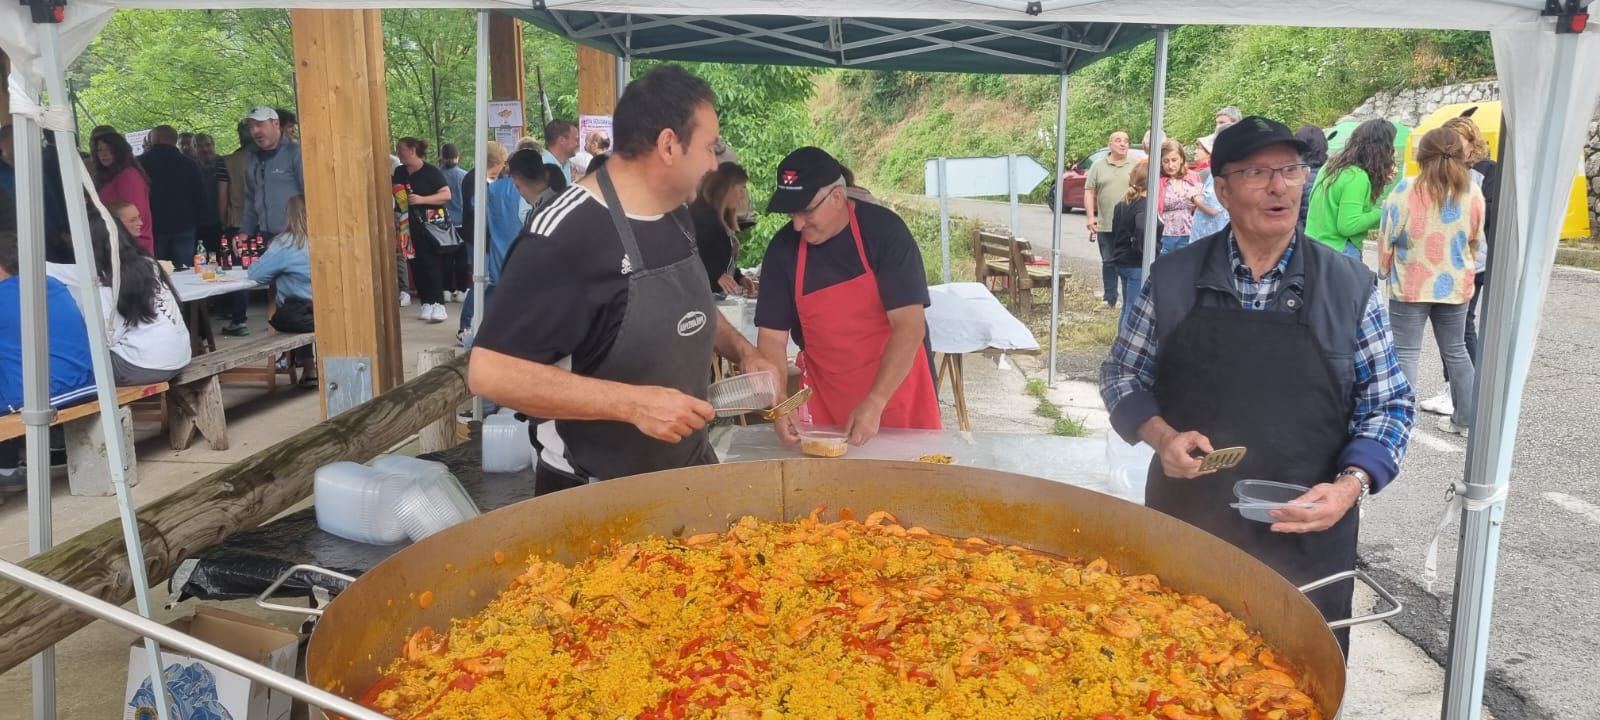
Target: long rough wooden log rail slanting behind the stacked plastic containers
207,511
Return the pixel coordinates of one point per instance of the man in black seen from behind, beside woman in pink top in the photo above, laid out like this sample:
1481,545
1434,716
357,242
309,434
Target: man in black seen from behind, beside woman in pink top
177,194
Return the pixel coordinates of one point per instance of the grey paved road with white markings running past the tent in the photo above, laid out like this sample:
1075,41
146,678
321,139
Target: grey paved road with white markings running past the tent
1546,625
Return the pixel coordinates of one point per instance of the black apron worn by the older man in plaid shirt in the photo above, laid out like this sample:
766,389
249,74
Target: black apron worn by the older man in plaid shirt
1260,380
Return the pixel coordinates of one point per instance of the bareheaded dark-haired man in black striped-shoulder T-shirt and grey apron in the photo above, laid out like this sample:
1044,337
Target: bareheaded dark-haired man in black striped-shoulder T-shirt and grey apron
602,327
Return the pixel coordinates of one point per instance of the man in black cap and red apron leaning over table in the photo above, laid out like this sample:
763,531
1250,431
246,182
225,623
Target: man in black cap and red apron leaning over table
846,281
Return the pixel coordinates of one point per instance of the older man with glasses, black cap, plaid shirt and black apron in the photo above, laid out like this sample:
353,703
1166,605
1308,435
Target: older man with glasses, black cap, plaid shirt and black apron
1260,338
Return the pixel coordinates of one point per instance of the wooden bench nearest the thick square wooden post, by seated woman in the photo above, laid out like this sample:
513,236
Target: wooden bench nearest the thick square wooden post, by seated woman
196,399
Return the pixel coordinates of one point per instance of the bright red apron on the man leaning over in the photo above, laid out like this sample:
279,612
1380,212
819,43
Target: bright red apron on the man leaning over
846,334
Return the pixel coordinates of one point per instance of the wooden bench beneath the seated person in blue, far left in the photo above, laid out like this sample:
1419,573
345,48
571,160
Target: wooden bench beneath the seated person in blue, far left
89,463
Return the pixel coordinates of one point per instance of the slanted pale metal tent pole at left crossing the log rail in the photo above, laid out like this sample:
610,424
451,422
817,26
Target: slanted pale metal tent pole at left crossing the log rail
95,321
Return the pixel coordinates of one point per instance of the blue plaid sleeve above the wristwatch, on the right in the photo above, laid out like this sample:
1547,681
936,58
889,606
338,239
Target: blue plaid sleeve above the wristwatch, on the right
1385,402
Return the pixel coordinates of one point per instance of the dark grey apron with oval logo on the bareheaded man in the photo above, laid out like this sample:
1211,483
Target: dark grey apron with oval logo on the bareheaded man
666,338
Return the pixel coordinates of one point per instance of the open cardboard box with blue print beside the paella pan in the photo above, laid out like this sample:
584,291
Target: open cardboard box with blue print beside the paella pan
206,692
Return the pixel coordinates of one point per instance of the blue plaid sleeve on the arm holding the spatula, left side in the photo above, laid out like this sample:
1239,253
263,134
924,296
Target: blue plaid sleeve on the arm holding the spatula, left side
1129,374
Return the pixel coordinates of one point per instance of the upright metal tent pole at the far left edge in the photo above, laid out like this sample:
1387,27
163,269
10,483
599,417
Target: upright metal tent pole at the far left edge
36,362
